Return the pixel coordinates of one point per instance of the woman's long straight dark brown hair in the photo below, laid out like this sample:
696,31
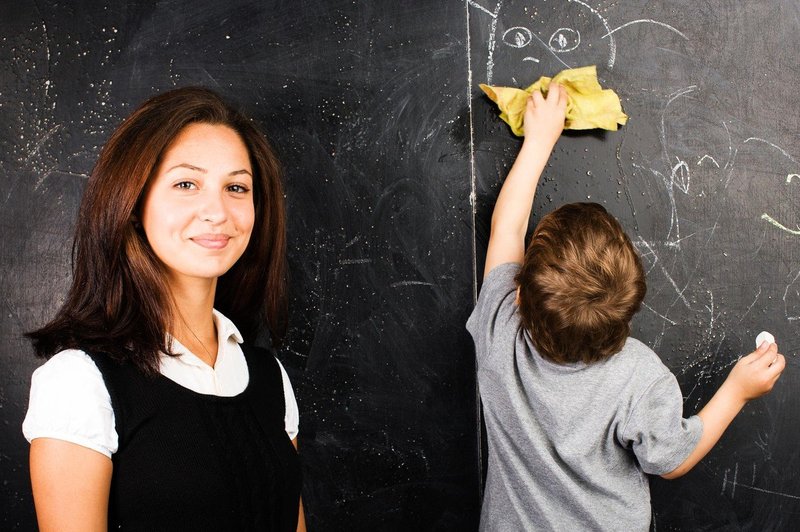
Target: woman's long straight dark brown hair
119,303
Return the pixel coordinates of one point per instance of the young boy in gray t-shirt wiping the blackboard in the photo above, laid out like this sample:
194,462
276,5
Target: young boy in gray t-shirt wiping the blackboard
577,412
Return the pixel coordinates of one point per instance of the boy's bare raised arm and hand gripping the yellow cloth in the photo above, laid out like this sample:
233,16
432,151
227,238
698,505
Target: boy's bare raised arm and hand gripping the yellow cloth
544,122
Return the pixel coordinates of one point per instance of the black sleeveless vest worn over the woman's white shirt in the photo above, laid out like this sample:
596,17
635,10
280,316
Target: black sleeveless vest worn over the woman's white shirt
190,461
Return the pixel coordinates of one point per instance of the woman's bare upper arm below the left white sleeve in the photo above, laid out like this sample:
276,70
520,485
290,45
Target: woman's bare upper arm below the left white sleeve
70,484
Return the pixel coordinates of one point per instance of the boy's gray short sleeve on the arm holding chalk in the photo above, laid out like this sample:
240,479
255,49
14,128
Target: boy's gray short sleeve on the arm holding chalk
656,431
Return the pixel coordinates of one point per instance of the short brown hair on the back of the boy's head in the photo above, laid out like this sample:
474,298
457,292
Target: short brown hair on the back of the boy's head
580,284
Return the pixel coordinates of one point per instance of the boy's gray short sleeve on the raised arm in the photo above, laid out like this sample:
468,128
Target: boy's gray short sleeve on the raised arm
496,307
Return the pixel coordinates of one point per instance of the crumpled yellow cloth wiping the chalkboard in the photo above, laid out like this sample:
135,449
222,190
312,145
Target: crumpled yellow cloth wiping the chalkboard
589,106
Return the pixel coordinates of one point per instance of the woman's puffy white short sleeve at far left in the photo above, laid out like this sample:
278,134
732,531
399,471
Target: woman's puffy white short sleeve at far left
69,401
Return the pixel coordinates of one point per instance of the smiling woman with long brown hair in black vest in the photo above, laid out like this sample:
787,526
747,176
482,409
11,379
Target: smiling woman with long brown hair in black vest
150,415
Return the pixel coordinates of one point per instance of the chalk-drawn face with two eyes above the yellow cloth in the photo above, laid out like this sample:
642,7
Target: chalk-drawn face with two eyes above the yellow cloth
531,39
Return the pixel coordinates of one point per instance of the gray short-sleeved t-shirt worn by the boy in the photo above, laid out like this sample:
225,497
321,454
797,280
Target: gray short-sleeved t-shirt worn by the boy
569,444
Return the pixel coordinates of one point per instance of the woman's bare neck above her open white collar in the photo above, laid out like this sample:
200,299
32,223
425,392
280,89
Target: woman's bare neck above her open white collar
194,325
